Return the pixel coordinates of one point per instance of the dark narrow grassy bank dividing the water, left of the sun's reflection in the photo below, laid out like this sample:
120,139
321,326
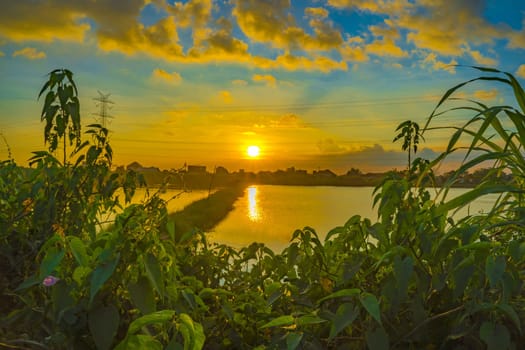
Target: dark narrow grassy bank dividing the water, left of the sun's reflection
206,213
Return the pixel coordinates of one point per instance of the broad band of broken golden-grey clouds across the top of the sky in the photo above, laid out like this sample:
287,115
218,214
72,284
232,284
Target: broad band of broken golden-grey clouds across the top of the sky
450,30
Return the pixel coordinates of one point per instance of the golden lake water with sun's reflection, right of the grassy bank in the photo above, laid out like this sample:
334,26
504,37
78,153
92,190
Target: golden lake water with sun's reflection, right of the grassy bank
270,214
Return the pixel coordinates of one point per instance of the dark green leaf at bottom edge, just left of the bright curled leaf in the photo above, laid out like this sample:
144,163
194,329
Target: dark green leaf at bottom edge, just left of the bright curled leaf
103,325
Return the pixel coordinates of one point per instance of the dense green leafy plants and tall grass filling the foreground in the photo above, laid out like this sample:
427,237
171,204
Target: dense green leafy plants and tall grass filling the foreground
413,278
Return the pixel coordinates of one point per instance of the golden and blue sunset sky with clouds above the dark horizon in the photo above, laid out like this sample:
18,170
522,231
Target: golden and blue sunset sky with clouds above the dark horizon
314,84
